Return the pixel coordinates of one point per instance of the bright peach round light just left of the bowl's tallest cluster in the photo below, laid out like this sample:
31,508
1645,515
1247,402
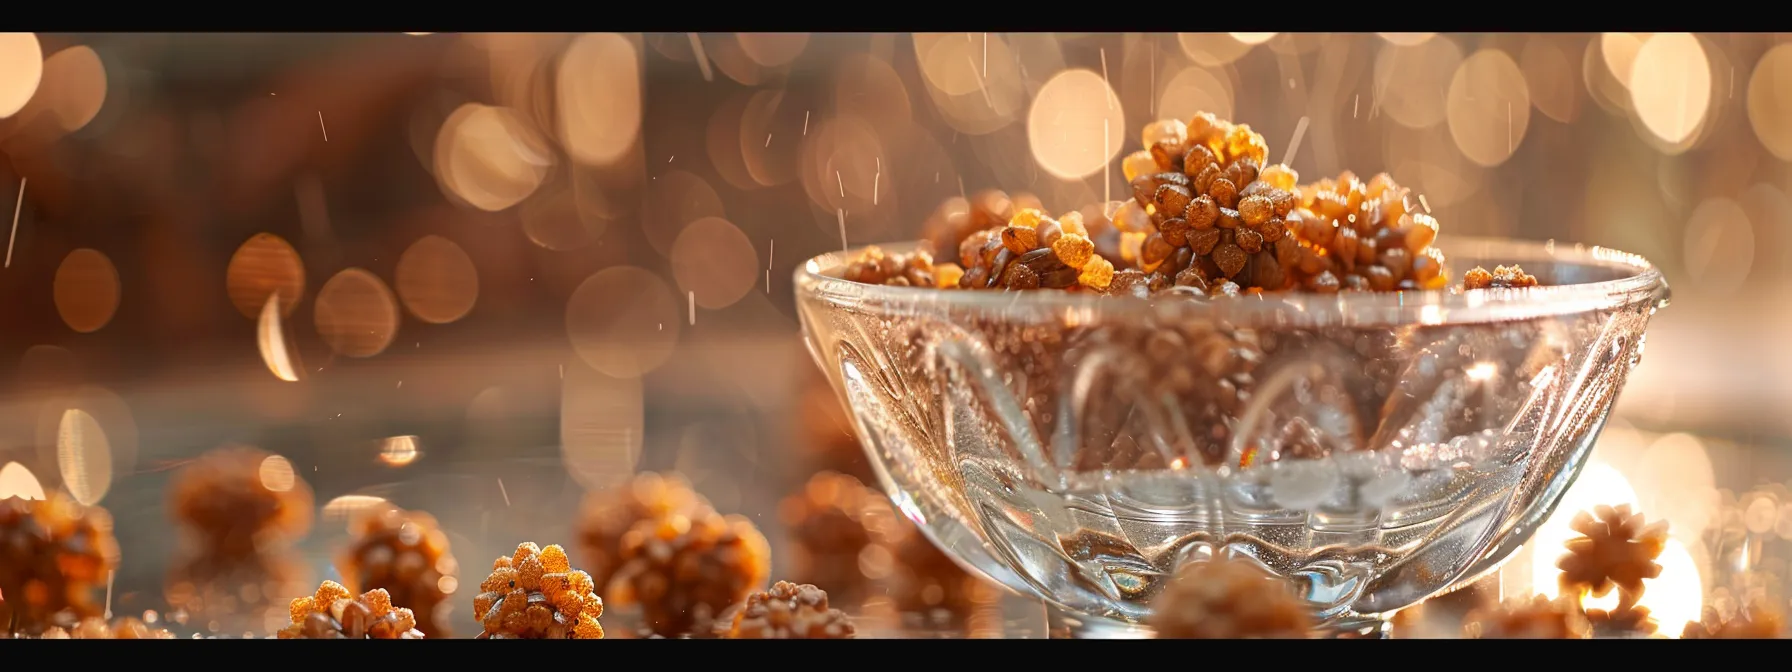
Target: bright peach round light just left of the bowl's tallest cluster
1076,125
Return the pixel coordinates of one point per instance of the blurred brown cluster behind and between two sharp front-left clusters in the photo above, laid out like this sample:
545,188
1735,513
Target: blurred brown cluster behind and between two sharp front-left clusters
406,555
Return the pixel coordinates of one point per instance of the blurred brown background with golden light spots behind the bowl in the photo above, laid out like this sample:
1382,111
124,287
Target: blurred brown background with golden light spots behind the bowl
481,275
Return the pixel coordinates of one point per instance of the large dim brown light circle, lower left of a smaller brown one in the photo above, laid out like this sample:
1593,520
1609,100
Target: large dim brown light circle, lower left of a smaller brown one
625,322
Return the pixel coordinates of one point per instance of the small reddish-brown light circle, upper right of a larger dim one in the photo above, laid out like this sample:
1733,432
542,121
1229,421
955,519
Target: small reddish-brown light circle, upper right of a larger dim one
714,261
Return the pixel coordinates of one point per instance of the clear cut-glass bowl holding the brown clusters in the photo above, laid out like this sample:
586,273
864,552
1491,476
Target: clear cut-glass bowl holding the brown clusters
1370,449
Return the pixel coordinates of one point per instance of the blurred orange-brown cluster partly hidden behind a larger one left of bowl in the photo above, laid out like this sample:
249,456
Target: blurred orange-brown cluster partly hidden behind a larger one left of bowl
608,515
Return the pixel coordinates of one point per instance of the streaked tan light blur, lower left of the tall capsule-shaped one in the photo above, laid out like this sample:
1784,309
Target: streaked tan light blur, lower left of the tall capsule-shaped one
490,159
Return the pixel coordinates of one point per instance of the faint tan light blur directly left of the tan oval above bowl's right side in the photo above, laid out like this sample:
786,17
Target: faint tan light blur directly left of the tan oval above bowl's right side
1413,82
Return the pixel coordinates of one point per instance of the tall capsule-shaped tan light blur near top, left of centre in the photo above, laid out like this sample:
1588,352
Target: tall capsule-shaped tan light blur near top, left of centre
599,98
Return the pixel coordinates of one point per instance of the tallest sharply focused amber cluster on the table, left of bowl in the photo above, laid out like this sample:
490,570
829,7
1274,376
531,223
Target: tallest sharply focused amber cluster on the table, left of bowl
538,596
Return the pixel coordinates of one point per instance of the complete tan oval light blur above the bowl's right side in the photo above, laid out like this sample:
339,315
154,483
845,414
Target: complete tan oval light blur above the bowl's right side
1488,107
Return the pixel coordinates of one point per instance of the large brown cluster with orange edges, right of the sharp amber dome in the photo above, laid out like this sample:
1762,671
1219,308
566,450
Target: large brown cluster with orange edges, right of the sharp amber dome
684,571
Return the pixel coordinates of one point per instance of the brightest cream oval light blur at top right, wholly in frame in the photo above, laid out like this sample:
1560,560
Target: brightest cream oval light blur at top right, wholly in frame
1671,85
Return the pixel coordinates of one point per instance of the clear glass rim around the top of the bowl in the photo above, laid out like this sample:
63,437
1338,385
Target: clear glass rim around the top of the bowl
1632,280
